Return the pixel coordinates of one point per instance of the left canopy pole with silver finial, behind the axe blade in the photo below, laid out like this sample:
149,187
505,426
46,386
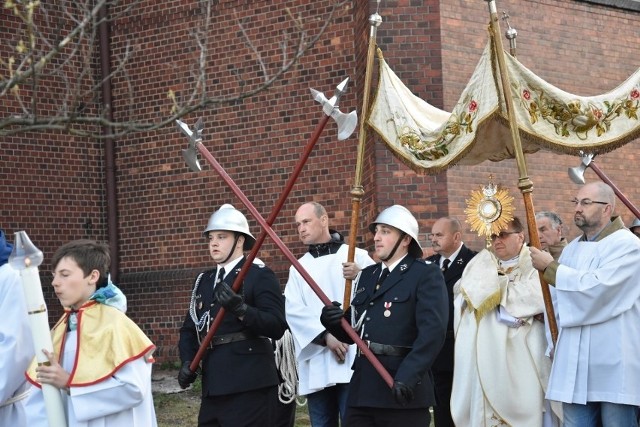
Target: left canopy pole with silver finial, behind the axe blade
357,191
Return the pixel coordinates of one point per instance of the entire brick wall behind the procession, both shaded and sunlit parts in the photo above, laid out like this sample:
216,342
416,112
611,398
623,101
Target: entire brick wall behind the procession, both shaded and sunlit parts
53,184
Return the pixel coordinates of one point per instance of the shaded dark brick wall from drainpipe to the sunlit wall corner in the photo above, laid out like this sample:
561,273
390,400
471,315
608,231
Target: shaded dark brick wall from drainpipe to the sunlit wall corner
163,206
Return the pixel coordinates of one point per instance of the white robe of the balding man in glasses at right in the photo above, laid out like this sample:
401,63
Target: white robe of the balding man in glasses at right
597,304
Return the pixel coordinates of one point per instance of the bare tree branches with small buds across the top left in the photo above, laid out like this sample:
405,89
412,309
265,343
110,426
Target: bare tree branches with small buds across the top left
67,54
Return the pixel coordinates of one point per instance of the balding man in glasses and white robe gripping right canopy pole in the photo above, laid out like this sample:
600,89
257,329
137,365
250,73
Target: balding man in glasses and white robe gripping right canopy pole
597,300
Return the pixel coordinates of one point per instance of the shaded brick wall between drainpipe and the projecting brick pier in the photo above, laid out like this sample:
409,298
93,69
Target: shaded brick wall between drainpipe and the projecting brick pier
164,207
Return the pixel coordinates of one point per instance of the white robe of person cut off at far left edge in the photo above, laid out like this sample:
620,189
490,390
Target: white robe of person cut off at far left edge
16,348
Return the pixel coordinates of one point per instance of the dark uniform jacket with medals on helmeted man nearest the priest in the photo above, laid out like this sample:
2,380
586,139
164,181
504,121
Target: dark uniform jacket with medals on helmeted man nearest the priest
415,298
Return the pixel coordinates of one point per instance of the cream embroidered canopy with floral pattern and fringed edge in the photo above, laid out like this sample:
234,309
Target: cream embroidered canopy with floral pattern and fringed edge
429,140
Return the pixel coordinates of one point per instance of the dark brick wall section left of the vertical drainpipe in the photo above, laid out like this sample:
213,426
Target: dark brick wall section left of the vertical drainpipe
51,183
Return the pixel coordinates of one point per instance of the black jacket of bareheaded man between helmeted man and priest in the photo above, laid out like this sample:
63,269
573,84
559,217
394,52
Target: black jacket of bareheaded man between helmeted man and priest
444,361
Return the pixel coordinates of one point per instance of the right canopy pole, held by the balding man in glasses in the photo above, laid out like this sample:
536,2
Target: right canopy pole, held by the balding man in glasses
524,183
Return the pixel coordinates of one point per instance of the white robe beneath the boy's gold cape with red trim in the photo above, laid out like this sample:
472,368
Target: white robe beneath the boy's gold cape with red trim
125,399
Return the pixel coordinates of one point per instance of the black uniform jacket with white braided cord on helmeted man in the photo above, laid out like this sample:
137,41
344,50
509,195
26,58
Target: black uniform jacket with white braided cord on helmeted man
242,365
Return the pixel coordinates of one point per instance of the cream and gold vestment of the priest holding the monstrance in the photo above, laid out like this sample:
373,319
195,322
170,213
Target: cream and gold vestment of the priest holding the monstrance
500,368
